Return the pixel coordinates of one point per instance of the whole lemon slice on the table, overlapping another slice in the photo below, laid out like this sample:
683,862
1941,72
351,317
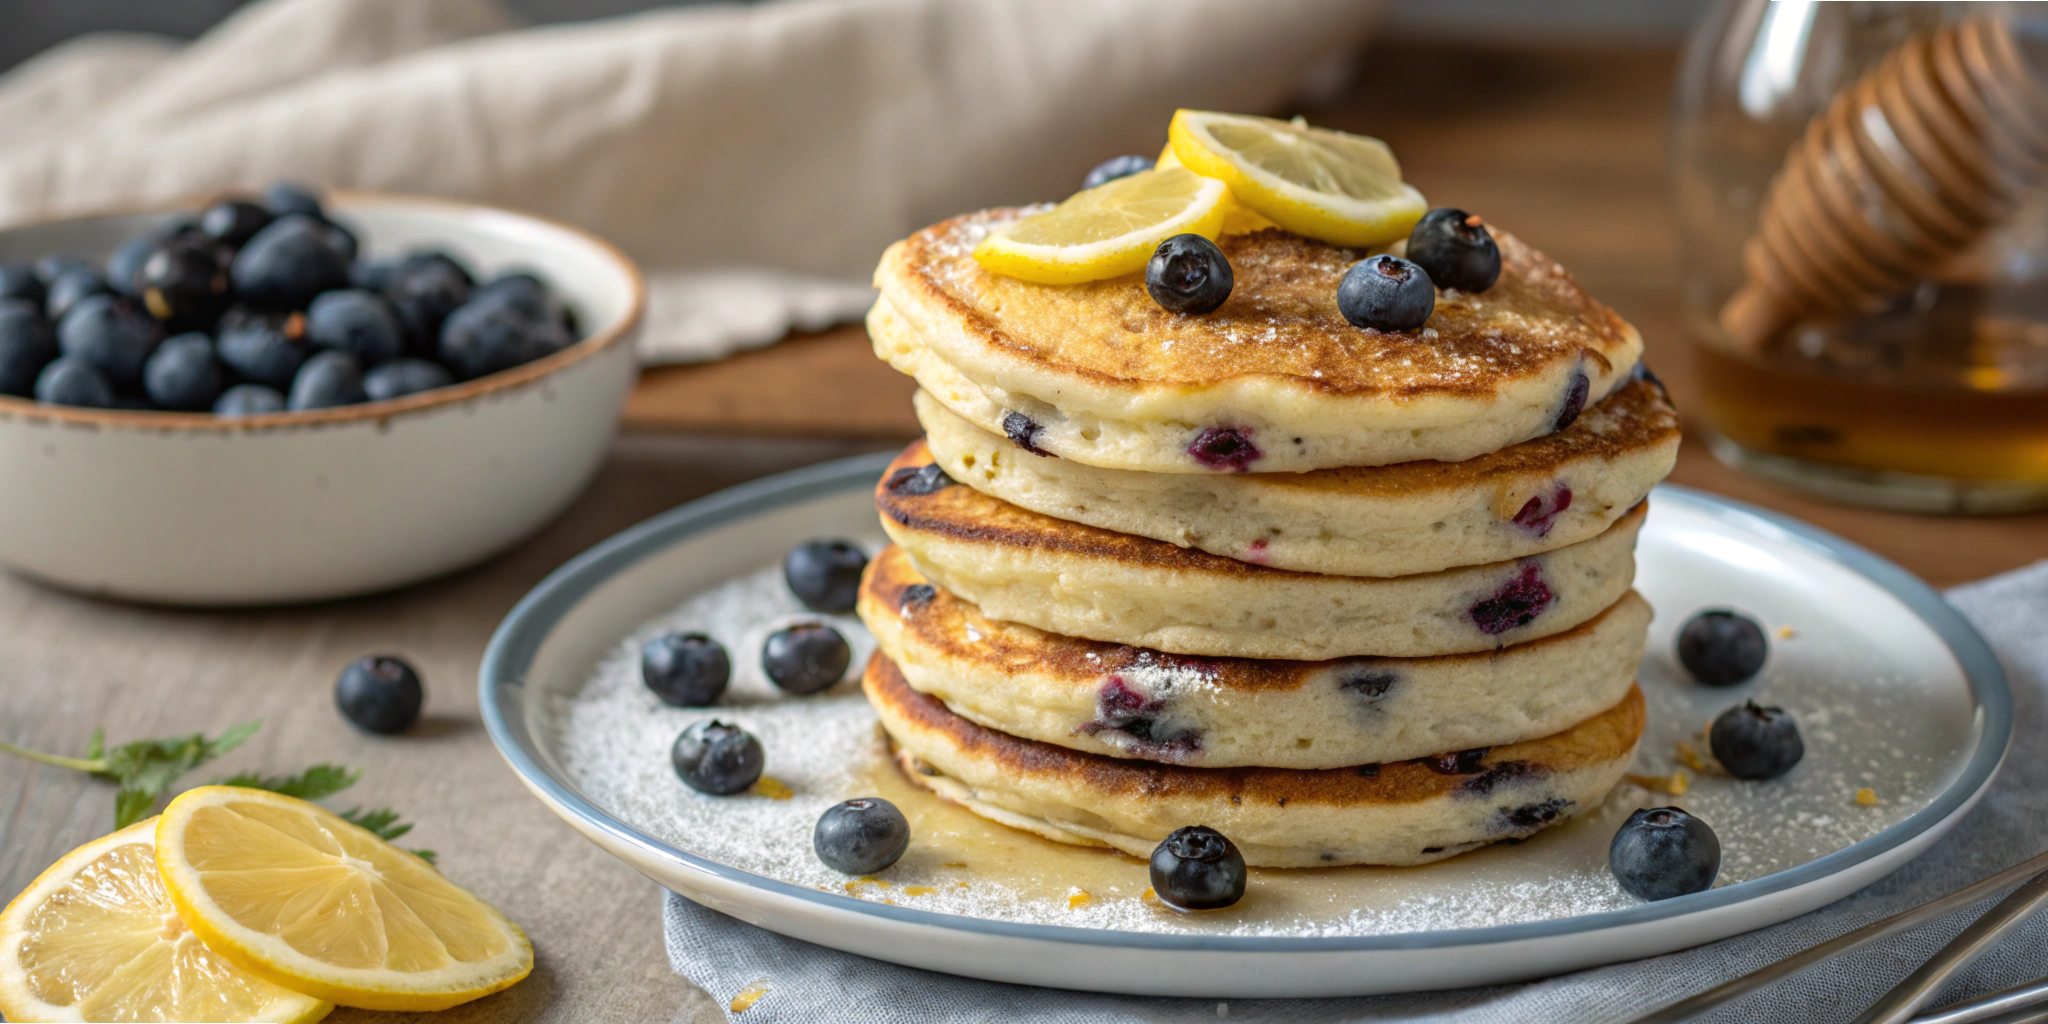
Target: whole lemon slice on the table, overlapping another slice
298,896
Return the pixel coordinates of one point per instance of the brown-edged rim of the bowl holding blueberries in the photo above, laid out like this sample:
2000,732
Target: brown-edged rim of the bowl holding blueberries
456,394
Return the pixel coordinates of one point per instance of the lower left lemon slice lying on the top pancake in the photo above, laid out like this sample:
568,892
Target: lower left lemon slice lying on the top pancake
1109,230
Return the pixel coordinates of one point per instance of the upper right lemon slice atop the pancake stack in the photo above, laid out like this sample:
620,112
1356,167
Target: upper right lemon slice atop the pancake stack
1318,183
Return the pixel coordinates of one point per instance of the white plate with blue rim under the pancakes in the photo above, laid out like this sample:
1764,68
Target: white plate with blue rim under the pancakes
1904,710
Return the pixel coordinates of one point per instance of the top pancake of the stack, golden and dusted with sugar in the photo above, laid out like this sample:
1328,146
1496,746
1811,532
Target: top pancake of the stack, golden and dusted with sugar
1275,380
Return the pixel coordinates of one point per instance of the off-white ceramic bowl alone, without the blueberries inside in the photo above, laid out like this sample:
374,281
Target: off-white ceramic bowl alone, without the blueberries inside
194,509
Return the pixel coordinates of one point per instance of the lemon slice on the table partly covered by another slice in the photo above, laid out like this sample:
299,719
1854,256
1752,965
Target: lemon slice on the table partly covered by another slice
97,939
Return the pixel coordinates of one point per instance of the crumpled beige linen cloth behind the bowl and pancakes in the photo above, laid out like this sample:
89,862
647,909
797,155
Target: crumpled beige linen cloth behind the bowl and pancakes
755,159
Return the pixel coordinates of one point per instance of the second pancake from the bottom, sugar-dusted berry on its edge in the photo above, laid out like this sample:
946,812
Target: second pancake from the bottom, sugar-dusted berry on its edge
1230,712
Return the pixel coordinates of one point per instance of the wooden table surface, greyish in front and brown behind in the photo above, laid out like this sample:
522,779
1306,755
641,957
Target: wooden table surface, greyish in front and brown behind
1568,148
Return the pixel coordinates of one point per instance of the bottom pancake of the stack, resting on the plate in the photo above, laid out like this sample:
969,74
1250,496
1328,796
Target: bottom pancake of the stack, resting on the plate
1281,818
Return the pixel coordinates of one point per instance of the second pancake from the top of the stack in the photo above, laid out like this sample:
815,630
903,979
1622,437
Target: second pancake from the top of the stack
1377,521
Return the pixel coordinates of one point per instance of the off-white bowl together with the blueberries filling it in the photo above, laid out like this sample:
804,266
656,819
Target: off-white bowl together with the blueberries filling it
288,396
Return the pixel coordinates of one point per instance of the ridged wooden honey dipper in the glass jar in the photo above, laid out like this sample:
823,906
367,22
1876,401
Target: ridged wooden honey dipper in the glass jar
1900,173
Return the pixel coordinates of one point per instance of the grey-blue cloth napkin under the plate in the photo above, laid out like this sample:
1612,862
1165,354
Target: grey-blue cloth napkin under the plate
814,984
